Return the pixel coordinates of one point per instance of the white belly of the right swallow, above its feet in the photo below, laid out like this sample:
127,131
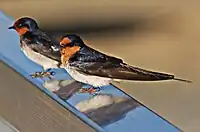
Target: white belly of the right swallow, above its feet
87,79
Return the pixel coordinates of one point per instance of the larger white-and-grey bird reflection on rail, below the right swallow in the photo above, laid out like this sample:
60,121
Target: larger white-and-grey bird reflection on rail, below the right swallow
105,109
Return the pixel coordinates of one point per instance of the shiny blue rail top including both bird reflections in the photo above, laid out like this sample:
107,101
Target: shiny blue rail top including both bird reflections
109,110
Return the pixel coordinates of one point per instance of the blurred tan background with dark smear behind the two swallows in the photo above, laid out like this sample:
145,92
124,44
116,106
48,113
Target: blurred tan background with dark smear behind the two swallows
160,35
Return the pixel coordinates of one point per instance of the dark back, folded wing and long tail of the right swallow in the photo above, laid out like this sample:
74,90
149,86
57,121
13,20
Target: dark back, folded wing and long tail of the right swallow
92,62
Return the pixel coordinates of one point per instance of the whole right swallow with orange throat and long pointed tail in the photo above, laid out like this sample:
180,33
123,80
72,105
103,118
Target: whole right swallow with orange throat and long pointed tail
97,69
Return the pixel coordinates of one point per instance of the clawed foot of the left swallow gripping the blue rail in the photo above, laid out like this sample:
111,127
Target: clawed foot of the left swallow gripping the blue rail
43,74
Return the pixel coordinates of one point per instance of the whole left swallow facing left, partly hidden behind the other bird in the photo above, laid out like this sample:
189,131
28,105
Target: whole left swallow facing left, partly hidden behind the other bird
37,45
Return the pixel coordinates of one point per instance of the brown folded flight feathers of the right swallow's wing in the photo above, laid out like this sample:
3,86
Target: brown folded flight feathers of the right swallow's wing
119,71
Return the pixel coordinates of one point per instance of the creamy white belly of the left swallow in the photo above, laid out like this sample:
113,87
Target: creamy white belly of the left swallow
38,58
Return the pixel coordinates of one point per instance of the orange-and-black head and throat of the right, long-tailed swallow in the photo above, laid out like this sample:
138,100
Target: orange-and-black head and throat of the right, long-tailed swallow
70,44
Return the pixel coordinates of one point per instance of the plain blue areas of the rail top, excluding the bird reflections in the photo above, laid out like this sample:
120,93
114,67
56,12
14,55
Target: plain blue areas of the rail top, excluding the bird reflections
138,120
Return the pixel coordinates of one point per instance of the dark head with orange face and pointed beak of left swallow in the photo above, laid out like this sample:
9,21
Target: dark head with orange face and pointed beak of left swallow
24,25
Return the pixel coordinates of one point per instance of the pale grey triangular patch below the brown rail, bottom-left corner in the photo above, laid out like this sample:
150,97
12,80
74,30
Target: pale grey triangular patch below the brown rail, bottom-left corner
6,126
